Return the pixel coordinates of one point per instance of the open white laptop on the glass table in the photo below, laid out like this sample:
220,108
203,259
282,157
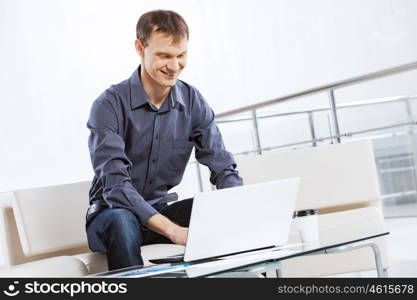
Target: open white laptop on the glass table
239,219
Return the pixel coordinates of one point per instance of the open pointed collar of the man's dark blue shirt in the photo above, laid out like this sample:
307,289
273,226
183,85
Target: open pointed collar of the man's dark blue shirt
138,96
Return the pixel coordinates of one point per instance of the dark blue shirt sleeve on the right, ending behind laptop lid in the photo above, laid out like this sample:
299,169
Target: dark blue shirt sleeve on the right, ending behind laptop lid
209,147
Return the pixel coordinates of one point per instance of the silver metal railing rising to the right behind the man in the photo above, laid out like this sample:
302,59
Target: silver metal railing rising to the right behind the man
335,134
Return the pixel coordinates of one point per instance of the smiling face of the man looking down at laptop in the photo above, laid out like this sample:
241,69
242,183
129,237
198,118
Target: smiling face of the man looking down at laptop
162,58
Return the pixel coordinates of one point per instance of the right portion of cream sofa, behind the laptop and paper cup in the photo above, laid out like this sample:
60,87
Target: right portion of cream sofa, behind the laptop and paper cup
340,181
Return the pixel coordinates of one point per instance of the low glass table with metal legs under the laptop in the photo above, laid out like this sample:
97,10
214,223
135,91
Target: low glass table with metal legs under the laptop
253,263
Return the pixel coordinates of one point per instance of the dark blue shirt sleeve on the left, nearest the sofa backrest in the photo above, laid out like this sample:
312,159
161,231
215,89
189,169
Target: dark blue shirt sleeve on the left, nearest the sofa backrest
110,163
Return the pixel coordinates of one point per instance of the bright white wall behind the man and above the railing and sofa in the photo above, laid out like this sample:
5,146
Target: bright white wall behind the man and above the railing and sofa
56,57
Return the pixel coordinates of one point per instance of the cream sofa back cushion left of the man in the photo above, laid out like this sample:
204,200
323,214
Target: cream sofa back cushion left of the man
52,218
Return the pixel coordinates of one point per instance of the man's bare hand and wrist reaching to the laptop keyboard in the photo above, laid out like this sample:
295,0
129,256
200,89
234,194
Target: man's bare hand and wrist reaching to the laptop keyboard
162,225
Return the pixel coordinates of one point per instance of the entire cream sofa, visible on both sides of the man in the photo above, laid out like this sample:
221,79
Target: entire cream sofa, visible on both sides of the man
43,233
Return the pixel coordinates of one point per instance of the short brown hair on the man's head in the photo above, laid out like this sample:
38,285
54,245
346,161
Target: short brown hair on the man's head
166,21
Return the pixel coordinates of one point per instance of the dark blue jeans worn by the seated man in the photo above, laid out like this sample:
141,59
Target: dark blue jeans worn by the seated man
118,233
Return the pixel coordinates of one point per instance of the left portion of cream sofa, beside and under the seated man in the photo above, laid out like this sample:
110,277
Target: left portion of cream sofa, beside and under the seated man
42,234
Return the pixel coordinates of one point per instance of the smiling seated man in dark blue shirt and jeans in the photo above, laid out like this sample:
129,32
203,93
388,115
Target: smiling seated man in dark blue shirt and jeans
142,133
